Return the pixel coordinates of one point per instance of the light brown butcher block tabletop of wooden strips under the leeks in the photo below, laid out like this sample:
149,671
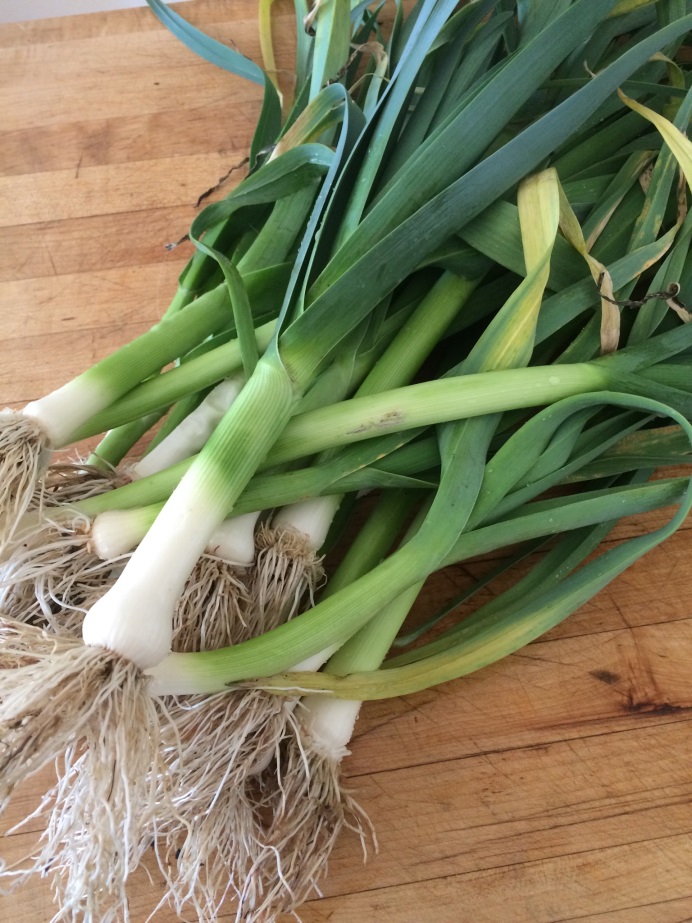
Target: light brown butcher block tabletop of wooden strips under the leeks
553,786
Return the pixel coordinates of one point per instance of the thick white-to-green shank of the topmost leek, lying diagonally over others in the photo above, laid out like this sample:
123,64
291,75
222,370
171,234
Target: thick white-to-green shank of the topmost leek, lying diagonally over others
135,617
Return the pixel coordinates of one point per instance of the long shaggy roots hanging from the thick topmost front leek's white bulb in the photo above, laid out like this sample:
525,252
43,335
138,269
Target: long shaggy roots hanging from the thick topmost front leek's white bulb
90,710
